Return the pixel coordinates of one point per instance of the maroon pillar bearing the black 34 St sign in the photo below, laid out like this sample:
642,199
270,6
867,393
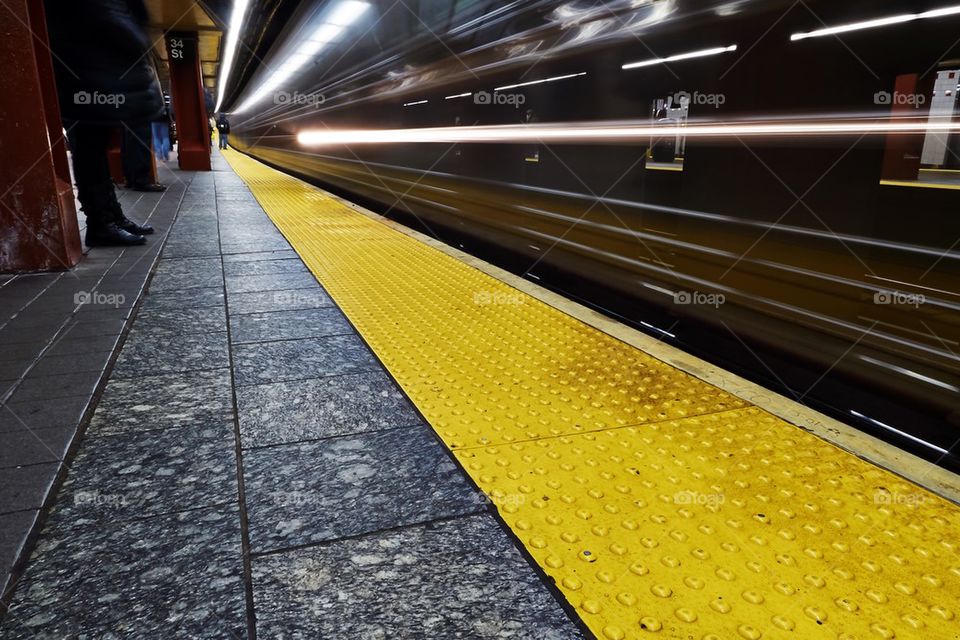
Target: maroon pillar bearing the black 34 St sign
190,109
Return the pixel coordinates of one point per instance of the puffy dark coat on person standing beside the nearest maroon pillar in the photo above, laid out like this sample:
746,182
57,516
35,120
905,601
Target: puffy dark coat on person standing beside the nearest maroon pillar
101,57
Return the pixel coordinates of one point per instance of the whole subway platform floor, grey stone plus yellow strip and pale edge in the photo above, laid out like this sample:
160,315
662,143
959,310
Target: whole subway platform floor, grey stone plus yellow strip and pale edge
286,417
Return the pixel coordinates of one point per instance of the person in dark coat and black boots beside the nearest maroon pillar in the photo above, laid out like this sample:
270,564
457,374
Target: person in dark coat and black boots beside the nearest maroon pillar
104,80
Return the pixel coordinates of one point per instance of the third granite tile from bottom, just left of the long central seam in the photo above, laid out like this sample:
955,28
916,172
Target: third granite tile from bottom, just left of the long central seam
163,402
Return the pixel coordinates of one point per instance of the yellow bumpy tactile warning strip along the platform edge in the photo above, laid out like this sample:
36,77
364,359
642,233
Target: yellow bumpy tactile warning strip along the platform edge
660,505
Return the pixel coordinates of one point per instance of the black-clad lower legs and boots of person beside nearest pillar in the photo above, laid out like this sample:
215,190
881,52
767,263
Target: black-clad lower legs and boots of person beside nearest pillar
98,201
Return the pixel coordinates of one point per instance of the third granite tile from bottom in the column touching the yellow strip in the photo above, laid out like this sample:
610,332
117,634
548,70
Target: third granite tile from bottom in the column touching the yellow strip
287,412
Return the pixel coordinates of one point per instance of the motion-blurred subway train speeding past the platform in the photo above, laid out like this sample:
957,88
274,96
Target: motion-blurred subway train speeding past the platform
771,185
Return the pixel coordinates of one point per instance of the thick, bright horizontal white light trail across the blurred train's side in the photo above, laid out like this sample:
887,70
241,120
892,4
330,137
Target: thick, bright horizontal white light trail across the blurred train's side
625,132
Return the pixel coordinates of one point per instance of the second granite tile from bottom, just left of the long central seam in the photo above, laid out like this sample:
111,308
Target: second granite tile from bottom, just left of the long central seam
132,476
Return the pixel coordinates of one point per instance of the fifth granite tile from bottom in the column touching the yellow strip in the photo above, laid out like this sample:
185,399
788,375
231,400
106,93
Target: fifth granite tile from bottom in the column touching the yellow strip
288,325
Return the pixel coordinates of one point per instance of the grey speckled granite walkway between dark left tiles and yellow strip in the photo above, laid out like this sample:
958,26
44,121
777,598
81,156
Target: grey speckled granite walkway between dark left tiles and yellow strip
251,470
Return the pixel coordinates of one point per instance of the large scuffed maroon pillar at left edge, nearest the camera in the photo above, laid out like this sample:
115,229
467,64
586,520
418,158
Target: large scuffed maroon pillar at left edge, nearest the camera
38,218
